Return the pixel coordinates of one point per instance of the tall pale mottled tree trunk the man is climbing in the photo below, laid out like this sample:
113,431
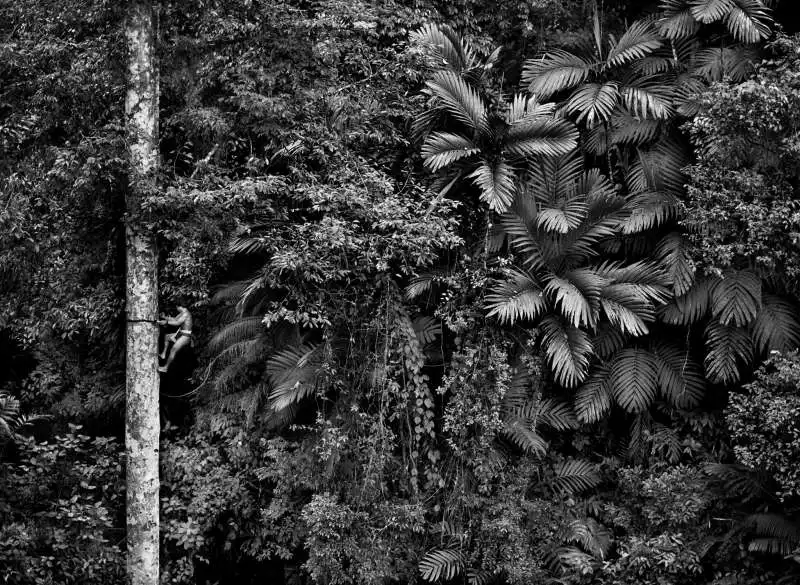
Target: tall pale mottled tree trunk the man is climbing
142,415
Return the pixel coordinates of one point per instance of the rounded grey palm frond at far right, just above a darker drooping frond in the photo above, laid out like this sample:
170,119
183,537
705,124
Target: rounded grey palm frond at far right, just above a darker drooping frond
736,297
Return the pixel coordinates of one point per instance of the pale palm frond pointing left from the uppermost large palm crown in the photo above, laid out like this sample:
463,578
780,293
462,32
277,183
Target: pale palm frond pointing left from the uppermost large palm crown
554,72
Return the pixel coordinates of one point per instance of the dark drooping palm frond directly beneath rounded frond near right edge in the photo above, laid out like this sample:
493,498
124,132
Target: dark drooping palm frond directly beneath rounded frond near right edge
727,346
